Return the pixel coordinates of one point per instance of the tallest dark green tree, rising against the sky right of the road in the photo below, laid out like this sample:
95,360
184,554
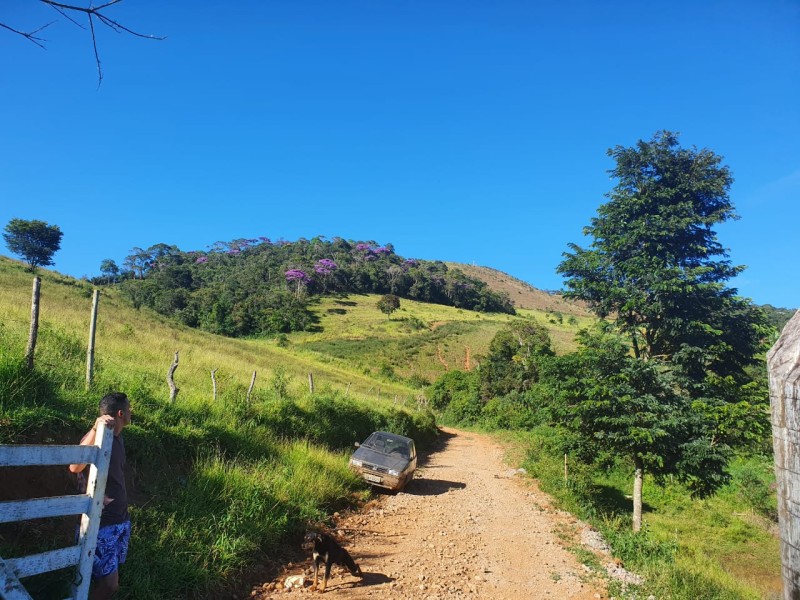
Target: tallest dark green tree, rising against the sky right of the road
656,269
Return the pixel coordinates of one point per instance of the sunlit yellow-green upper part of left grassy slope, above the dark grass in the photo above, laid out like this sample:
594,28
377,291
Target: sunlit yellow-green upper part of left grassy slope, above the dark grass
138,346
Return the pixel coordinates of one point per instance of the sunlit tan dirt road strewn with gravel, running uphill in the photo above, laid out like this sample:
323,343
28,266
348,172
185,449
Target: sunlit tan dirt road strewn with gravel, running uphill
467,527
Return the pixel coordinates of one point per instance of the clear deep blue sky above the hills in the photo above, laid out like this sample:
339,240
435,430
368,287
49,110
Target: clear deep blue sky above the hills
457,130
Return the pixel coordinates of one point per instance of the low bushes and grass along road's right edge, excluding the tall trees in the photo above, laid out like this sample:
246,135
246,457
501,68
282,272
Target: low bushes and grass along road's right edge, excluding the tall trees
718,545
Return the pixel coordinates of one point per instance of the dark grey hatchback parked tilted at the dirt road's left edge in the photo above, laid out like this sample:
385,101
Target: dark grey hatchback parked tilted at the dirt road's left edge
385,460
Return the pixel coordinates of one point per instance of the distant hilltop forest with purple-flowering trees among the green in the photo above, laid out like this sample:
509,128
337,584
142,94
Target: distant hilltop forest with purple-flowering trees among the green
257,286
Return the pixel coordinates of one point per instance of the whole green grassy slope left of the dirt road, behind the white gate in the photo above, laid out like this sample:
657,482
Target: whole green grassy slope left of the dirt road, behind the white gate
218,486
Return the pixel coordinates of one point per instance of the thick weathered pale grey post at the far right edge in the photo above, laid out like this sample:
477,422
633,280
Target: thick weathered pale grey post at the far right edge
783,361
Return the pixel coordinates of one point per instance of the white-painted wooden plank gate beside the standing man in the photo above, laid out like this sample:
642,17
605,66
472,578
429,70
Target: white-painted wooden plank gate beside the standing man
89,505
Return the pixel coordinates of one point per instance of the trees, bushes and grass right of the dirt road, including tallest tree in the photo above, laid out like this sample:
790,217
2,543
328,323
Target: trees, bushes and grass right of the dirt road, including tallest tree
655,428
